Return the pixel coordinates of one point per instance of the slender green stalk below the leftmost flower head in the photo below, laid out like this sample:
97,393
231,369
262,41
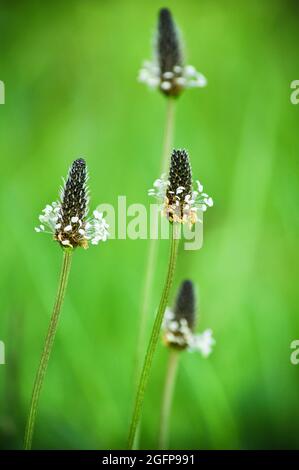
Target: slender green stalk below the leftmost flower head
41,372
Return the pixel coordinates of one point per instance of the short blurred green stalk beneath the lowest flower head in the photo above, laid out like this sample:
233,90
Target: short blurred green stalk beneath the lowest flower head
167,397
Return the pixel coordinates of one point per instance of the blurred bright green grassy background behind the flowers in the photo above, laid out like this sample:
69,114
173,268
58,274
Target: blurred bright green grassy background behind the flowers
70,74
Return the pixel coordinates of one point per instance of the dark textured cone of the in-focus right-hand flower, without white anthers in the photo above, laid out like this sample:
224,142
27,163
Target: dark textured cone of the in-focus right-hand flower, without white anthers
180,182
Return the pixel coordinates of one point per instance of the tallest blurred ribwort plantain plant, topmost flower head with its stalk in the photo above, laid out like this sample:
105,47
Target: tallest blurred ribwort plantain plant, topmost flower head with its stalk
168,73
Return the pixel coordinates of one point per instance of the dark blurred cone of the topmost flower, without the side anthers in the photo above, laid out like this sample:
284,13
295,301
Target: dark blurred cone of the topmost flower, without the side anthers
169,54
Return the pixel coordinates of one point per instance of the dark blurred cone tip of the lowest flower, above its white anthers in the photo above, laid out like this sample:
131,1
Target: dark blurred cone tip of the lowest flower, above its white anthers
185,304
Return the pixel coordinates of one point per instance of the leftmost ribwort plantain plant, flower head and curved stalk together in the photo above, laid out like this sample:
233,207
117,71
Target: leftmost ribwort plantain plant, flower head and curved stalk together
68,222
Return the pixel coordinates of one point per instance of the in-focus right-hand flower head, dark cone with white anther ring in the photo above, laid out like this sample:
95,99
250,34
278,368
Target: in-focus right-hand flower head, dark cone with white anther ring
178,199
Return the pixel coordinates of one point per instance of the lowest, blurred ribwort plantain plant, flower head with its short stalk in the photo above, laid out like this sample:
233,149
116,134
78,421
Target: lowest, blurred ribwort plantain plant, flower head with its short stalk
178,335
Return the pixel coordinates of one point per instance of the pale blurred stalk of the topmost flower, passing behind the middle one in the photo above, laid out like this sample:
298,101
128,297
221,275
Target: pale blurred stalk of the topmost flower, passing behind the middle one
153,244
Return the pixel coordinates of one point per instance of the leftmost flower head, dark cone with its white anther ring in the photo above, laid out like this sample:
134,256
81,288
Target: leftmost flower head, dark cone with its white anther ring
67,219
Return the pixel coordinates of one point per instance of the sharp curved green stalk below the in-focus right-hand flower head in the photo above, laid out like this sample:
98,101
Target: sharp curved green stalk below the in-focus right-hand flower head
154,336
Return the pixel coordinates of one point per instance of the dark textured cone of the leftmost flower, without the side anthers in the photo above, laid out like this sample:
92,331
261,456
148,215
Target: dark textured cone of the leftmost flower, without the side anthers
74,207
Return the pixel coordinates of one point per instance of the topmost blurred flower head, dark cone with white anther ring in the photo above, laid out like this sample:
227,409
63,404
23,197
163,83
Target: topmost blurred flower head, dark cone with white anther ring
167,71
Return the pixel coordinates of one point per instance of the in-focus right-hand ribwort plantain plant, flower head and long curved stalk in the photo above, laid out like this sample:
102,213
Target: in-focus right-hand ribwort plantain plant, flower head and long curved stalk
179,205
